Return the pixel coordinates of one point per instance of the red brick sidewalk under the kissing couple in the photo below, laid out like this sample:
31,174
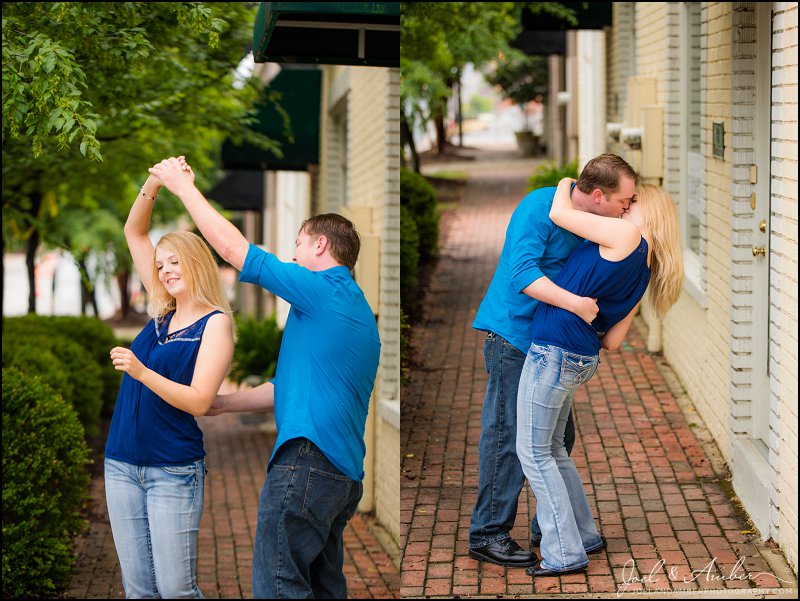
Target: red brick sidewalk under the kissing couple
656,484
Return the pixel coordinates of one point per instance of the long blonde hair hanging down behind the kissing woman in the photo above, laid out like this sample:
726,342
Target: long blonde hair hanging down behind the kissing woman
666,263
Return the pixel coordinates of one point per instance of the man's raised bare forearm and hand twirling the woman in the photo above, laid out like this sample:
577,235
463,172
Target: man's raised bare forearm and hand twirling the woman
220,233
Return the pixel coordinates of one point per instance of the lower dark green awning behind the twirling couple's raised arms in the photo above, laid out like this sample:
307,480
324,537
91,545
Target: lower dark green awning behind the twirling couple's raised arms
300,89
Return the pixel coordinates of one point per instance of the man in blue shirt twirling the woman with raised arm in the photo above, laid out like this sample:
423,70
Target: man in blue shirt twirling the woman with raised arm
324,378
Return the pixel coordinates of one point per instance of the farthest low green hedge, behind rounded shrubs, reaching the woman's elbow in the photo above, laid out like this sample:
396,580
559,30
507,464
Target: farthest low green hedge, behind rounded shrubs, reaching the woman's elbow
91,333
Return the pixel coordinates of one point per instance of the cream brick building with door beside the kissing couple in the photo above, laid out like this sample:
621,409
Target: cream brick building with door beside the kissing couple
713,87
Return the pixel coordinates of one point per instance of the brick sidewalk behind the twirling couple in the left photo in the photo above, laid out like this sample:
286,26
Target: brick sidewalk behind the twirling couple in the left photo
237,452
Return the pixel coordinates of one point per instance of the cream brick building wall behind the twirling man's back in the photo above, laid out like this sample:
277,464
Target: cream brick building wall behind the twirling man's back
359,177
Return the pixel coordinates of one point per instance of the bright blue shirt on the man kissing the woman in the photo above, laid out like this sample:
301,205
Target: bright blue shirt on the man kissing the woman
534,247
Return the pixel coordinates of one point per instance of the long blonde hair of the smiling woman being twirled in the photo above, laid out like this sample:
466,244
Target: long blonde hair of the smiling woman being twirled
198,270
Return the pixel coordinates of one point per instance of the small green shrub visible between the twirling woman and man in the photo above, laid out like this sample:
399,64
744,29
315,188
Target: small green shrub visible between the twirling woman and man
257,348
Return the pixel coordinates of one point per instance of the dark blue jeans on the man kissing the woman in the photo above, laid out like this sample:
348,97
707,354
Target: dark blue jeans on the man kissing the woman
500,476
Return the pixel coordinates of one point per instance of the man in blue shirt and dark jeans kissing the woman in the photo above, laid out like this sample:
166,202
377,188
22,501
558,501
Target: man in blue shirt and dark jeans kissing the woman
534,251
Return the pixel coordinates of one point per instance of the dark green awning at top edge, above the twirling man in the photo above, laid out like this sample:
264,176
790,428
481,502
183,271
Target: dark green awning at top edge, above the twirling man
330,33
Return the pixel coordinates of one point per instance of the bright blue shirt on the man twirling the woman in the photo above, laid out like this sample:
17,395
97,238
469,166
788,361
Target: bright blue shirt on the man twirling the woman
328,359
